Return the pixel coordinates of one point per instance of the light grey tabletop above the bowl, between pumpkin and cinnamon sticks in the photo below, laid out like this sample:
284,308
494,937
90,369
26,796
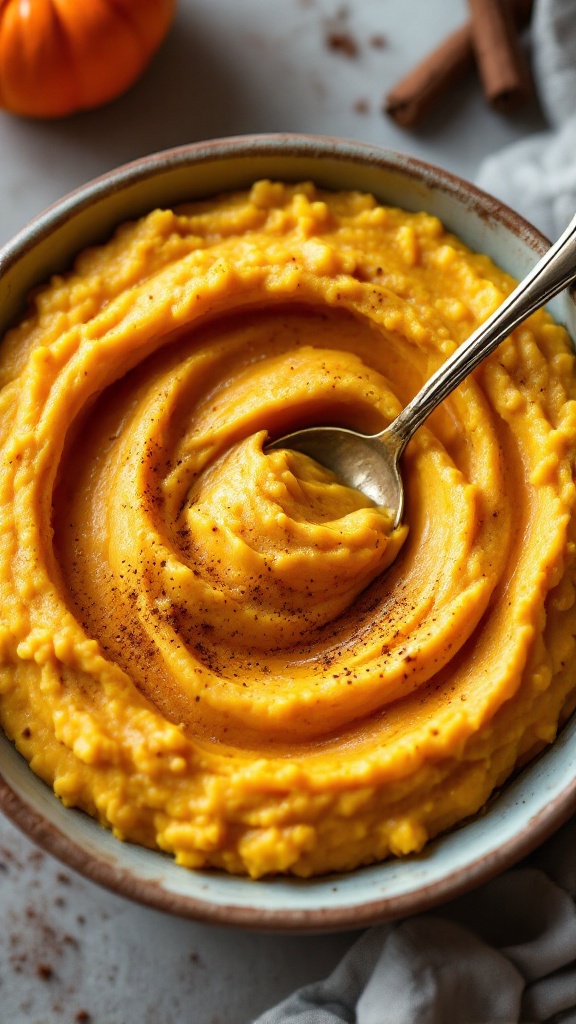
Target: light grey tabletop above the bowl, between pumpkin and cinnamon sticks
232,68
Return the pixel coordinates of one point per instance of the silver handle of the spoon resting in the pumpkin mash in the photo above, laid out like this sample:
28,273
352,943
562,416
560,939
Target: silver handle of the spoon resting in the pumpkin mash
552,274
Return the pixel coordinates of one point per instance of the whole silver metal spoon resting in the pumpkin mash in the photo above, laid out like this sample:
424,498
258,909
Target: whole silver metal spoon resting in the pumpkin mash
371,462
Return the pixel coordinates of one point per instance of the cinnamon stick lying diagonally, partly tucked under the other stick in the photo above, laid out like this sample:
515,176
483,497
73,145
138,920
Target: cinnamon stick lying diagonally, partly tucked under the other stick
441,70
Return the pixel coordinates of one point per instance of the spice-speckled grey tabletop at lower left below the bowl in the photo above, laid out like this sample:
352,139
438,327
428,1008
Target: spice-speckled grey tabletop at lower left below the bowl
88,937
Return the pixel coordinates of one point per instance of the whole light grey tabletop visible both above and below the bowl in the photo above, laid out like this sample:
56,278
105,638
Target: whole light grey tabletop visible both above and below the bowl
227,68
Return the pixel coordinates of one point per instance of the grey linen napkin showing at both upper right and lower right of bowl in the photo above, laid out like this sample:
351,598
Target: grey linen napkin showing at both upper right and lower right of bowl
506,953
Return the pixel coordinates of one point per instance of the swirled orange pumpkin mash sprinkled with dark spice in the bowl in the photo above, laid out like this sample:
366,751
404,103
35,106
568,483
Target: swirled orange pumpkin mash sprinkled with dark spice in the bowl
225,653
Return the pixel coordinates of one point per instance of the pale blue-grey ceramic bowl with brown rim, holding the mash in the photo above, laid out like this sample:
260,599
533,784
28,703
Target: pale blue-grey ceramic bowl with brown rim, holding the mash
532,805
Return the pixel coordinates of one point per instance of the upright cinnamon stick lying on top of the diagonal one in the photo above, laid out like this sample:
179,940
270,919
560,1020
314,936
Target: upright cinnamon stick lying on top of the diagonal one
501,61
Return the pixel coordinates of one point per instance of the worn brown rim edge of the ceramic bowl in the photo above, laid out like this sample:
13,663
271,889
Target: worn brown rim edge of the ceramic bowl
148,891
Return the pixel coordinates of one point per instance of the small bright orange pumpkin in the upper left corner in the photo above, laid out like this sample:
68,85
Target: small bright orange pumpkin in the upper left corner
58,57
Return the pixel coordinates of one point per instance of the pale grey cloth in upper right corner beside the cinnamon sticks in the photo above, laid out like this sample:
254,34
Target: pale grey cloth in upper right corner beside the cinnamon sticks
538,176
